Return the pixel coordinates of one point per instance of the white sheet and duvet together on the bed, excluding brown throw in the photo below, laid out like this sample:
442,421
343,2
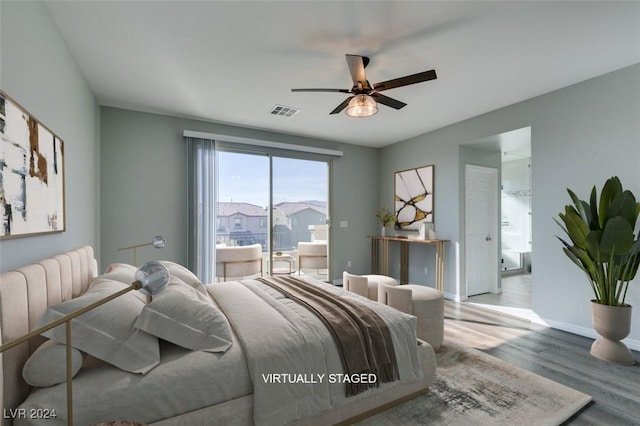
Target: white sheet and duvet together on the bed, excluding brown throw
272,335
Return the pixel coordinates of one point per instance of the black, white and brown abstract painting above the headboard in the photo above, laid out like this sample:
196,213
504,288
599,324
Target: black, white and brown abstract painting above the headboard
31,174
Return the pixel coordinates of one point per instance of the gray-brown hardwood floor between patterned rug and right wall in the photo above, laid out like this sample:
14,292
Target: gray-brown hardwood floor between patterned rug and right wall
554,354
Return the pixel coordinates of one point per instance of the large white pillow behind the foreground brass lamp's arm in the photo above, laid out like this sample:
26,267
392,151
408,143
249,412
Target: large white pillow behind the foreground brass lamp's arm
107,331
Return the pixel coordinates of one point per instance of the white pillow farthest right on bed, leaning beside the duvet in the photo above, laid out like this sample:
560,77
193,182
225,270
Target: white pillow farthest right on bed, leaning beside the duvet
179,316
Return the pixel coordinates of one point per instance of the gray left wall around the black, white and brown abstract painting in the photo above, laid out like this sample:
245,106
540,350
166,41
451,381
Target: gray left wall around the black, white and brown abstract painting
38,72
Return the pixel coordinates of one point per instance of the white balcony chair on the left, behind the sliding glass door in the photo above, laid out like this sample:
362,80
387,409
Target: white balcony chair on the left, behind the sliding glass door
238,261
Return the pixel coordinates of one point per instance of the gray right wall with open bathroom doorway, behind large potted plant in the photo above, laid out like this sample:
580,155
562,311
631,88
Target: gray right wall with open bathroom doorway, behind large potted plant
581,135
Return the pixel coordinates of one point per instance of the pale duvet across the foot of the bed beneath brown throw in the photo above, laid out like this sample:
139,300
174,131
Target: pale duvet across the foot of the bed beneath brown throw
282,337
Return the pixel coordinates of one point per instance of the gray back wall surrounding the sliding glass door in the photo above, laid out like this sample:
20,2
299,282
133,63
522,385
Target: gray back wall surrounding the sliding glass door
143,187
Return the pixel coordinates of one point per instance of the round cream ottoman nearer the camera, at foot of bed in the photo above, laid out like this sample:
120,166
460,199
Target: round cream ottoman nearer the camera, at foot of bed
425,303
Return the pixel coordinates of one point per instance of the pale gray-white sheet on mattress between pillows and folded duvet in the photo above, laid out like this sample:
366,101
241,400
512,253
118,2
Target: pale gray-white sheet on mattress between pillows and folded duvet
103,393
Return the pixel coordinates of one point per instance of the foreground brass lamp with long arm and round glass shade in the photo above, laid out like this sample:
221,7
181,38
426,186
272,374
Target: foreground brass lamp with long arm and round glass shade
151,279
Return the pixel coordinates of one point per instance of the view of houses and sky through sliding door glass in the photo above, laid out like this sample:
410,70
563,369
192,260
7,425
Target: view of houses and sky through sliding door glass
299,193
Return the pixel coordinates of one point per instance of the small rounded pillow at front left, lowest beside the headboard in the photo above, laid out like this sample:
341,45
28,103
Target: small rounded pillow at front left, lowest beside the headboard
47,366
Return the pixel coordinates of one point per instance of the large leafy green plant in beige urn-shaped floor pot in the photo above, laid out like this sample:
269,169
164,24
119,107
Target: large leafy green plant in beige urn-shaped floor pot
603,245
